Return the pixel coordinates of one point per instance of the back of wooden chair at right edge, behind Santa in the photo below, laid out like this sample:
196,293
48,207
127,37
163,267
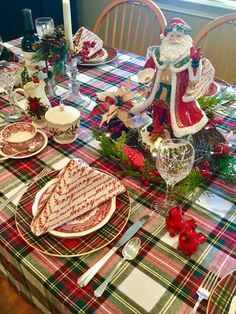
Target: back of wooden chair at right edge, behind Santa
218,43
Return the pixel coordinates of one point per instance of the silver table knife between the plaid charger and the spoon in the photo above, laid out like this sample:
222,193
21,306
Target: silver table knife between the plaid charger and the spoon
91,272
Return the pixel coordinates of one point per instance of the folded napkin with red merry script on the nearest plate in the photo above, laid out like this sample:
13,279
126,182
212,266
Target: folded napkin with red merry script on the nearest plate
77,189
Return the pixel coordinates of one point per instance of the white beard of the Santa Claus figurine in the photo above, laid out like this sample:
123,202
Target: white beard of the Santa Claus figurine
171,52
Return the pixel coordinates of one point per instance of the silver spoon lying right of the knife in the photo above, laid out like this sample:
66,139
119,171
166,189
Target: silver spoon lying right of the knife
129,252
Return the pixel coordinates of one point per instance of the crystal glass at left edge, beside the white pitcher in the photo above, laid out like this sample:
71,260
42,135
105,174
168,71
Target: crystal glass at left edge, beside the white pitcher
9,74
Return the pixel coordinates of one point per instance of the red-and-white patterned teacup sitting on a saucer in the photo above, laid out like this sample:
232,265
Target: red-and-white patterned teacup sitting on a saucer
19,135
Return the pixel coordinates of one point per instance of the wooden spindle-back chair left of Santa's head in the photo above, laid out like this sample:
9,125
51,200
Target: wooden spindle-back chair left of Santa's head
131,25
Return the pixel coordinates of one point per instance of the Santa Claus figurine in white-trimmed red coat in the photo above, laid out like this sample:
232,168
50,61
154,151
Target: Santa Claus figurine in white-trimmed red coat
181,77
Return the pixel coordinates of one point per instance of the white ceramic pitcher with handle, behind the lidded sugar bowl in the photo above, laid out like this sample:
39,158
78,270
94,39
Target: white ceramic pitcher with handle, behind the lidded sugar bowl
32,90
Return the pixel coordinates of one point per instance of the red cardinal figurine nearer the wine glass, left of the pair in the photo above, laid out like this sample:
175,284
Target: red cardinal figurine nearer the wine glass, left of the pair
175,223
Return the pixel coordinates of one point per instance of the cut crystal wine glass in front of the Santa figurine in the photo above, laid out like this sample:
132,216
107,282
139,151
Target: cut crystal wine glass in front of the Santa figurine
174,161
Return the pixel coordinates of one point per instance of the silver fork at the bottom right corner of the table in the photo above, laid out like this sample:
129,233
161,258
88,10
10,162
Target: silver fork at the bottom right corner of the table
205,288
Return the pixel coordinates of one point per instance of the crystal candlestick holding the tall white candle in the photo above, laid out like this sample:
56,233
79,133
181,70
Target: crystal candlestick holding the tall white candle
73,93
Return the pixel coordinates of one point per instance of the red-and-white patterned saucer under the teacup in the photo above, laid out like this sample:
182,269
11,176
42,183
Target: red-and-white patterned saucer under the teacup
40,138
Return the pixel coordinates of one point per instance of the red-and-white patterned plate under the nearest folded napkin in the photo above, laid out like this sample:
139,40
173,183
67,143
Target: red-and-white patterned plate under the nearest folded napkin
83,225
